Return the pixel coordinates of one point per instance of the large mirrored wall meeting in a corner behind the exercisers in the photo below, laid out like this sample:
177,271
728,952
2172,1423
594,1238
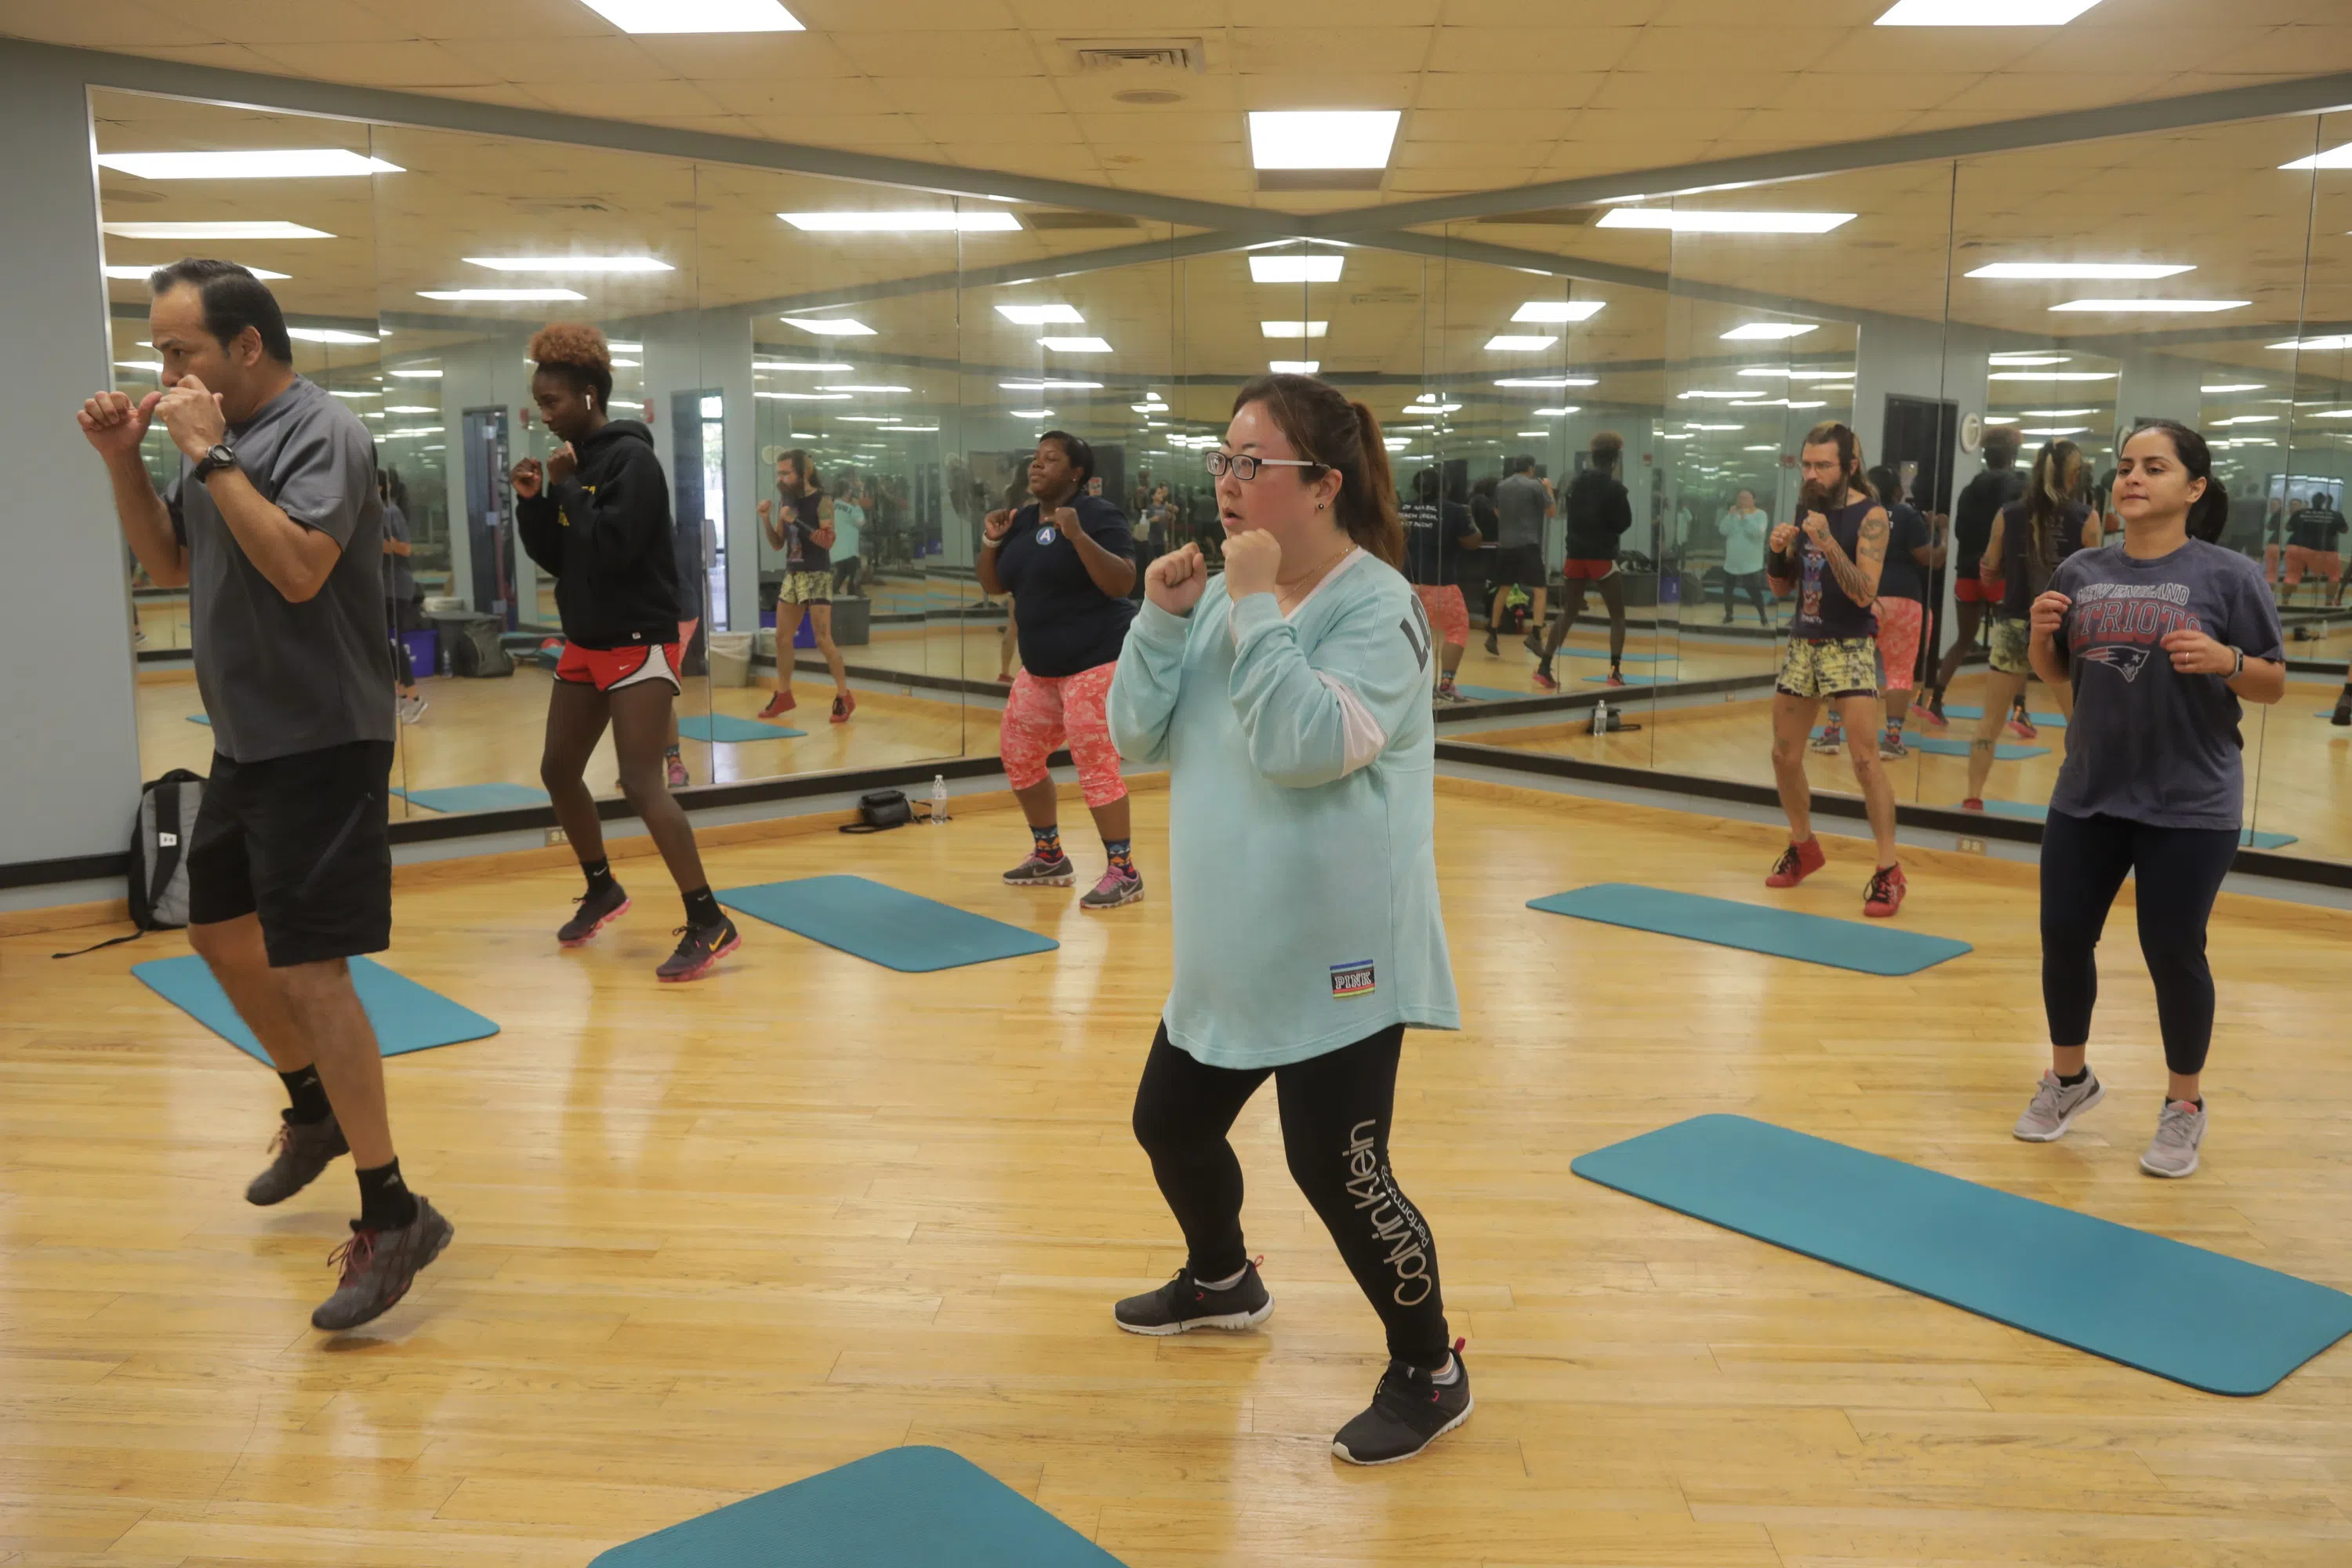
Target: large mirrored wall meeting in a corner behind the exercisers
1591,410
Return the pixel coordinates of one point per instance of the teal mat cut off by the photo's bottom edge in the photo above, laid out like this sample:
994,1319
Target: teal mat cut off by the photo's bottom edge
902,1508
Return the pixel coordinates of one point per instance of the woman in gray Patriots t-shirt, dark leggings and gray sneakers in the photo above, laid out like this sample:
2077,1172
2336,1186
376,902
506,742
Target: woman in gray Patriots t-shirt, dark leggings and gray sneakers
2163,638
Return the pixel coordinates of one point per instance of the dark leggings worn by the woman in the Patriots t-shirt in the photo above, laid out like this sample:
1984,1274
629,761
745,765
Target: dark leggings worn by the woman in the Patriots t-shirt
2177,876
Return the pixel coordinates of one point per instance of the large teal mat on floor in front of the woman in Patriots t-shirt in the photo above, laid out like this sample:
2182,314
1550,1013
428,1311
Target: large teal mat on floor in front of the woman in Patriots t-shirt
2123,1294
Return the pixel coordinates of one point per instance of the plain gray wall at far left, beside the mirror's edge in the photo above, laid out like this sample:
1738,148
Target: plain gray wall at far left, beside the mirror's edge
69,768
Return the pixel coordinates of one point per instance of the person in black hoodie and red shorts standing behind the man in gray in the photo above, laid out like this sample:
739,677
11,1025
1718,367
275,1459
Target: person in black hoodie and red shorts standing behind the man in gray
599,518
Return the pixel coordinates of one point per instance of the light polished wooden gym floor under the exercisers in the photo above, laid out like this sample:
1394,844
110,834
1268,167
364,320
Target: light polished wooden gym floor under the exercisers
719,1238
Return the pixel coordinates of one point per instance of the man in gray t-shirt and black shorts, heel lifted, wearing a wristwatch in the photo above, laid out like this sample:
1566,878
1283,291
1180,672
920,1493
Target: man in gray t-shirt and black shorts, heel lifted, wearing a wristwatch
274,528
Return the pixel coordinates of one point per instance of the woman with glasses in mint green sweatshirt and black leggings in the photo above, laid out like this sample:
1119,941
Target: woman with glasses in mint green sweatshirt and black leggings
1292,706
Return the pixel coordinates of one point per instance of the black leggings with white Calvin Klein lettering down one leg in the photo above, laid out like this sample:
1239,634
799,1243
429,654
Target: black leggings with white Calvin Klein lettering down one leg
1335,1132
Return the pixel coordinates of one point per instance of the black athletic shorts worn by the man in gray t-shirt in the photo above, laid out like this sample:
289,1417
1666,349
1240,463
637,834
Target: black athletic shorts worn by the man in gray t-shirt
305,843
